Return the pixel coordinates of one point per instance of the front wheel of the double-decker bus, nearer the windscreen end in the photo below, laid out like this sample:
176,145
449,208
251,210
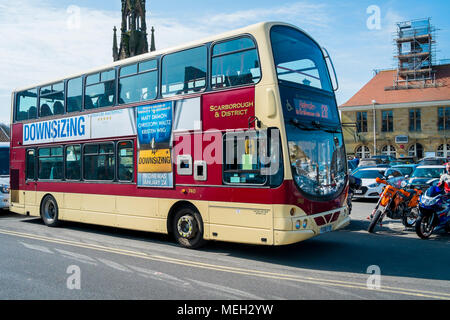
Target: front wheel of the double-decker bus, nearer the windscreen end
188,228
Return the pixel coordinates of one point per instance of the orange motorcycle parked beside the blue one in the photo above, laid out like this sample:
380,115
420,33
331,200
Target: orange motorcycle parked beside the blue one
396,203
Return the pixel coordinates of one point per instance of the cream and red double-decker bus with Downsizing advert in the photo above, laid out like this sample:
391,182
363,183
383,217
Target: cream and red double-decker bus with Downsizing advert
236,138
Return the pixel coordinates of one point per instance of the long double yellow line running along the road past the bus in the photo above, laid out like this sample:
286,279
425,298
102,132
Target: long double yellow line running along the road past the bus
254,273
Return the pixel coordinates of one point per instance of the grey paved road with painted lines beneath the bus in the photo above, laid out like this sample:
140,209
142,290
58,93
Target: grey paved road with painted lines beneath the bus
89,262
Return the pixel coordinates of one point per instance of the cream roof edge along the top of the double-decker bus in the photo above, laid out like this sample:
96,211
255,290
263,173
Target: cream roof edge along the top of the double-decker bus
251,29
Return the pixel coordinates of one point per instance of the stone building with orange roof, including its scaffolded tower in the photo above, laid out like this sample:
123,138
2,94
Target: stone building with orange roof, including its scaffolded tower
405,111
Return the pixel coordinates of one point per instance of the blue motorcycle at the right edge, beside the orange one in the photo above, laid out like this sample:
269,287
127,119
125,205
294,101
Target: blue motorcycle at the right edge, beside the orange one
434,208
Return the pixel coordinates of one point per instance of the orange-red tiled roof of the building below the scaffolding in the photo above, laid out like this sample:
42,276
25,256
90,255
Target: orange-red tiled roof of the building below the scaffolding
375,90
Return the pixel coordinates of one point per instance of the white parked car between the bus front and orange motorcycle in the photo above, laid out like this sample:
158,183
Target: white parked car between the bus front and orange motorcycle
370,189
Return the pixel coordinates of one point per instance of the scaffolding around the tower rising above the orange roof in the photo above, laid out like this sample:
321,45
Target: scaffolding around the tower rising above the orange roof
415,54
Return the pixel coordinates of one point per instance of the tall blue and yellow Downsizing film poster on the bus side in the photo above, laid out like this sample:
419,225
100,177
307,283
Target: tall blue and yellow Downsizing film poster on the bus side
154,131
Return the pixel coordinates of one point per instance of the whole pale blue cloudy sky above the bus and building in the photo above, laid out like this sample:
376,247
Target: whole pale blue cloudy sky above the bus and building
41,41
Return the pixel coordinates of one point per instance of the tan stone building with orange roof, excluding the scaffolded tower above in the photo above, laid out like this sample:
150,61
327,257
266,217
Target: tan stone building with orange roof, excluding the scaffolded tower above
412,121
